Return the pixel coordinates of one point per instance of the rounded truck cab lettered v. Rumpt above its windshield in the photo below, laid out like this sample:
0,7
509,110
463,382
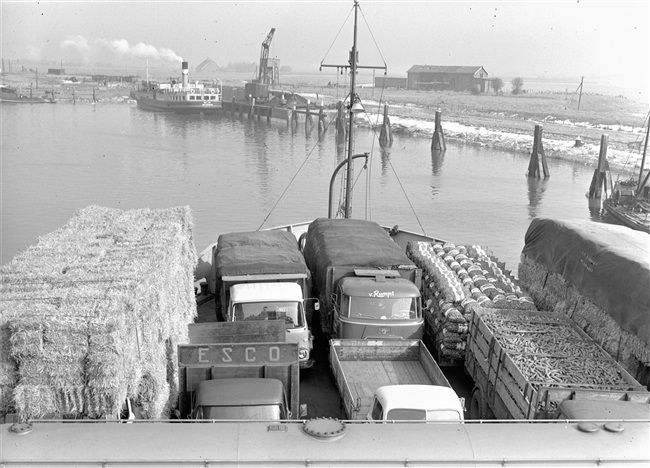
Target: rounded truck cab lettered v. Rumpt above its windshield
377,307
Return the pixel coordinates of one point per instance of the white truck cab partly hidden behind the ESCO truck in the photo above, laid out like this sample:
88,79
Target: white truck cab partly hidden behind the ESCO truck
274,301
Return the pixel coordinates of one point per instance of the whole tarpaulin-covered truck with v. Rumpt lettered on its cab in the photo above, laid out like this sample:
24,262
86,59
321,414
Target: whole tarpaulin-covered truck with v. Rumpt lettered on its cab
368,288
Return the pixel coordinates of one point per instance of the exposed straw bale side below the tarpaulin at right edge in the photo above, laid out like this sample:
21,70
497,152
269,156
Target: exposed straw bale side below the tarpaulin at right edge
550,291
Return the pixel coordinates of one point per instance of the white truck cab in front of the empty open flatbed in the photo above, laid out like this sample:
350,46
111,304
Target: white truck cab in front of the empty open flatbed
416,403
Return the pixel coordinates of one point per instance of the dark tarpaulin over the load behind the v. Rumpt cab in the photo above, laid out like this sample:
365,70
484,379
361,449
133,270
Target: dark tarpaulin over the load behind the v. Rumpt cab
350,242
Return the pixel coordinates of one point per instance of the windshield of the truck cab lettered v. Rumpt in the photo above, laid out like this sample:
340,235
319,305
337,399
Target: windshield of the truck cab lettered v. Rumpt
394,308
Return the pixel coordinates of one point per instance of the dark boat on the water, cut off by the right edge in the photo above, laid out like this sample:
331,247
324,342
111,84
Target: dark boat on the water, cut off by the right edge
629,203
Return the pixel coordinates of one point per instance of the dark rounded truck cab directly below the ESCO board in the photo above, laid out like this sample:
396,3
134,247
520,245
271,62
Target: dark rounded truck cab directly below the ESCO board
241,399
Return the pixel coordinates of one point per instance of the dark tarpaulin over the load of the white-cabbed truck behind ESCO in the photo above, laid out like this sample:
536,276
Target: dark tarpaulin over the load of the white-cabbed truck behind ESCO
258,252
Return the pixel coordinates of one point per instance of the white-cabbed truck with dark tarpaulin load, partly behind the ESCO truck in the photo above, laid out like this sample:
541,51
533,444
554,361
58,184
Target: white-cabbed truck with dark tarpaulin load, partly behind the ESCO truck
262,275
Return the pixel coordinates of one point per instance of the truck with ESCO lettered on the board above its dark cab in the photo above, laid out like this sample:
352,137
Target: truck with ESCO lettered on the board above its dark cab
238,371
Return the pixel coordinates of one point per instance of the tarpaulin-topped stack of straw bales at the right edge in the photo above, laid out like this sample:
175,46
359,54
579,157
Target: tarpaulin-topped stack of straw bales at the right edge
598,275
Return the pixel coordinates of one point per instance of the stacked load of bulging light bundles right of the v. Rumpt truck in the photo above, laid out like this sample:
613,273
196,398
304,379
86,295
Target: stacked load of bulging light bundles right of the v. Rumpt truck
456,279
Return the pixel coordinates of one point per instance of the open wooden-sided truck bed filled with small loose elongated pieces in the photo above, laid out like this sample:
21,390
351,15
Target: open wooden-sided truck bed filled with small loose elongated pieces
526,363
